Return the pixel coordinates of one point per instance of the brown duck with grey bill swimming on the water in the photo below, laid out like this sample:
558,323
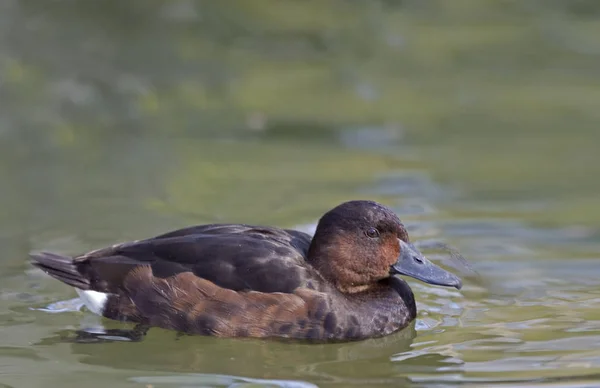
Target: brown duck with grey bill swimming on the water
241,280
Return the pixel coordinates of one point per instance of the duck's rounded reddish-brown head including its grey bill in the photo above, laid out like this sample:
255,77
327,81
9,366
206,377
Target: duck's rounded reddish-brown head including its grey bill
360,243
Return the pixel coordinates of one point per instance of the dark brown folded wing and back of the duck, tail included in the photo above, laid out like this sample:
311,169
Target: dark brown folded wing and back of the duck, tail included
235,257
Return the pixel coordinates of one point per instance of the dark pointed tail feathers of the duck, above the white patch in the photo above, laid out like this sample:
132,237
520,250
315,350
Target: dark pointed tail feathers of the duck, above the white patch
62,268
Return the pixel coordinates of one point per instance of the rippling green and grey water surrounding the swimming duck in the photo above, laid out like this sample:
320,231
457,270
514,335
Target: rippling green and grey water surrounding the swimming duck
476,121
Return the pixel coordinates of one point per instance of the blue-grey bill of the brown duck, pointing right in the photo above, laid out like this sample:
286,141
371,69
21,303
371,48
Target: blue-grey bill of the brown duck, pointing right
411,262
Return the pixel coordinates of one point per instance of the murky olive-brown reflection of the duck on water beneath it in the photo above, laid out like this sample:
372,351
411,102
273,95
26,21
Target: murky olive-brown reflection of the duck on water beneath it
161,351
